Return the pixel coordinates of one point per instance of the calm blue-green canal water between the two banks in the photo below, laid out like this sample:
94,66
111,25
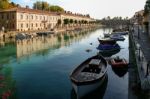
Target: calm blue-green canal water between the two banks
39,68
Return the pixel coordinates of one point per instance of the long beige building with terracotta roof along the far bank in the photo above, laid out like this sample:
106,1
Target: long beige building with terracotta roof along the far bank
25,19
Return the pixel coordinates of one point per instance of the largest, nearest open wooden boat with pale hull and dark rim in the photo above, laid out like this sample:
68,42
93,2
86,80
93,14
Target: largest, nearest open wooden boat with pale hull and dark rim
89,75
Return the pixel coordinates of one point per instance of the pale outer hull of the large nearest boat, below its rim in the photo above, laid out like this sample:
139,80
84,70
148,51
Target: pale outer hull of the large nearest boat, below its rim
82,90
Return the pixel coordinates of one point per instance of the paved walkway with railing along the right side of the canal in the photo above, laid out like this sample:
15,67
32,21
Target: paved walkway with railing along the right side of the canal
141,42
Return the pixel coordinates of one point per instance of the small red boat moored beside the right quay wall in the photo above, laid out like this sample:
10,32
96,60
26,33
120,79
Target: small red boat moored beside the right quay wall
117,62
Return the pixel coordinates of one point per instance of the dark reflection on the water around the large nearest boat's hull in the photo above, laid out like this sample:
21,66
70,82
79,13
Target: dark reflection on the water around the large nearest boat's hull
97,94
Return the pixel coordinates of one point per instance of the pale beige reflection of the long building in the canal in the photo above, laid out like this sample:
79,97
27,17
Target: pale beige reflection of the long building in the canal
53,41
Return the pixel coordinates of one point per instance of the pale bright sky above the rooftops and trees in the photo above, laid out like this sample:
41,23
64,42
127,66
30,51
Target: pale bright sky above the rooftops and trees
96,8
